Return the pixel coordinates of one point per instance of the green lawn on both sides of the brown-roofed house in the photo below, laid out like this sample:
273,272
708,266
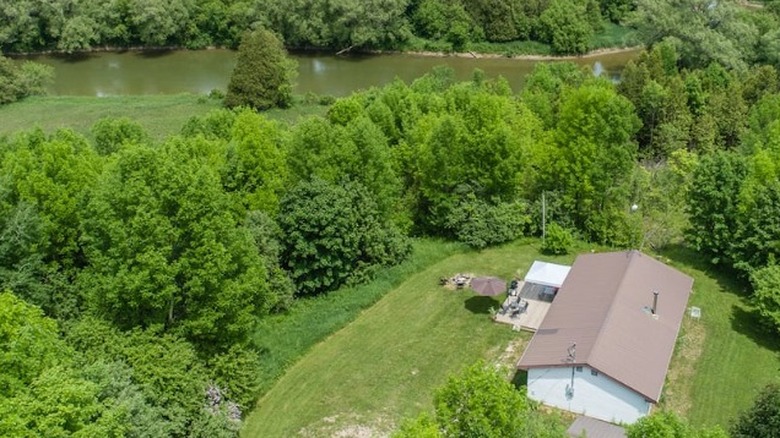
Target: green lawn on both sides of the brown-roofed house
386,364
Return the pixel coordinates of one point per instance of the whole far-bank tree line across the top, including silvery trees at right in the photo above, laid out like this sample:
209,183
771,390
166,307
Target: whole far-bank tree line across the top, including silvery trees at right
723,31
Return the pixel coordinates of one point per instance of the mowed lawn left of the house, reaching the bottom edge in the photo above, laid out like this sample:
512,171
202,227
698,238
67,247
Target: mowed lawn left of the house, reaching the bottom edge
387,363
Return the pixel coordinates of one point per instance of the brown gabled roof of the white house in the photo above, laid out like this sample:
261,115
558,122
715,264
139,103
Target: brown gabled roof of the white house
603,307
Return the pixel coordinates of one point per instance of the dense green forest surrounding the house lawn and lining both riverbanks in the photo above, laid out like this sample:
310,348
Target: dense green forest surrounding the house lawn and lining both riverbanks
136,272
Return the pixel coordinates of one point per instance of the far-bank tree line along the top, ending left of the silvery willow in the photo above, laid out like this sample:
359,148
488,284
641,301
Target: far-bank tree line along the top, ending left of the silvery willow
81,25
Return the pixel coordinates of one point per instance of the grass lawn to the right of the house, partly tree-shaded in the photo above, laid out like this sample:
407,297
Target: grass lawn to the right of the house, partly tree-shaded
723,359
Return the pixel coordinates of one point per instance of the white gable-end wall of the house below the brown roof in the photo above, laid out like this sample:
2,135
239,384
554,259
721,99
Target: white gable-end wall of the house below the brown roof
595,396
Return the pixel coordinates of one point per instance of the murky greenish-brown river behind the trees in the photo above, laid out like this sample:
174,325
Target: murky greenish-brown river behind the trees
170,72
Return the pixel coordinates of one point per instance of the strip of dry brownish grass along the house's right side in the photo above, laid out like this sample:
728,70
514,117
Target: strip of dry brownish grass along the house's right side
679,379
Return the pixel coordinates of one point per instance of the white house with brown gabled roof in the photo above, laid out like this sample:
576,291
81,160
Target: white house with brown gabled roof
604,346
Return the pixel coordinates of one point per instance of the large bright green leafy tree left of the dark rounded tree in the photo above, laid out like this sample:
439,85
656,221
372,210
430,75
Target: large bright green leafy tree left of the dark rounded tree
163,248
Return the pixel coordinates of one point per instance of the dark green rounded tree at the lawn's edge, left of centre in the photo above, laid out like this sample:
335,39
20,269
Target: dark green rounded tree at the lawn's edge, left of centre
335,235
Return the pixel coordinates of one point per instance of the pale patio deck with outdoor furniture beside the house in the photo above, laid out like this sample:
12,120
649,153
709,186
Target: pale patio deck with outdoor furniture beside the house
530,317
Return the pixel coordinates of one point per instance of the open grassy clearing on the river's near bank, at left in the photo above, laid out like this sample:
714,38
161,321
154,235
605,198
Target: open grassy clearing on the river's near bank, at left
161,115
